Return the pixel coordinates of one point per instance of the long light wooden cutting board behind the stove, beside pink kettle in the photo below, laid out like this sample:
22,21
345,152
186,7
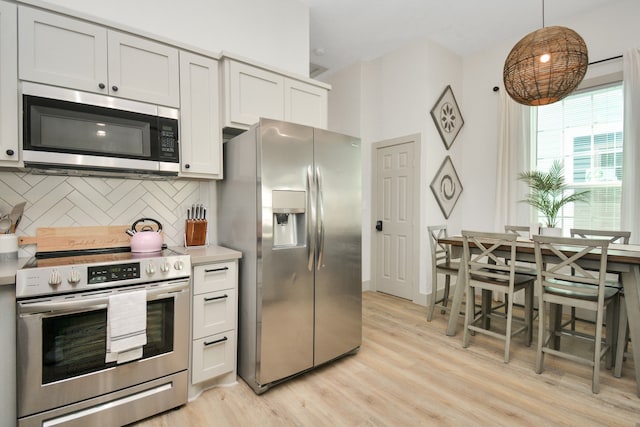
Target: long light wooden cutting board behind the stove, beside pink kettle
51,239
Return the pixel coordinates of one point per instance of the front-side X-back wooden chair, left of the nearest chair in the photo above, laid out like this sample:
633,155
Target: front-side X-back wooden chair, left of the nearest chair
485,256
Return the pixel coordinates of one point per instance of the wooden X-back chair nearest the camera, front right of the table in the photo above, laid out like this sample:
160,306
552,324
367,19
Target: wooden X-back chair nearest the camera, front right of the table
564,281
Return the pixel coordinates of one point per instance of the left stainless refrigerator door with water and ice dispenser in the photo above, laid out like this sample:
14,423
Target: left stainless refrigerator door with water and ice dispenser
285,287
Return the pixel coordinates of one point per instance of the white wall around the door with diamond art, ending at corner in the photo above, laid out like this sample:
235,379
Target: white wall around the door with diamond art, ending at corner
392,96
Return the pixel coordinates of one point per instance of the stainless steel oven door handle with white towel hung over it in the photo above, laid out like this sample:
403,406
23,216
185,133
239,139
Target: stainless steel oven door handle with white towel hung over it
95,303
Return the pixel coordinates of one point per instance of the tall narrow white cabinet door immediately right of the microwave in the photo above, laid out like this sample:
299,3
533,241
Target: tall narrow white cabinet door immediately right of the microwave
200,135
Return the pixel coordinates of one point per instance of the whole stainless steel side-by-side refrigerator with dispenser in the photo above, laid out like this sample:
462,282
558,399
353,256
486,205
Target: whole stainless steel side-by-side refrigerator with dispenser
291,202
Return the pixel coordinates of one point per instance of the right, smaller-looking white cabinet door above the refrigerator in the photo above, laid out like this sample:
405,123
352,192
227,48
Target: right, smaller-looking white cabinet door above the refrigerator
305,103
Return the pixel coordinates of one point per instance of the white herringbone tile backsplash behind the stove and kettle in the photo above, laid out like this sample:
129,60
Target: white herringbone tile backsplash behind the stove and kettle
61,201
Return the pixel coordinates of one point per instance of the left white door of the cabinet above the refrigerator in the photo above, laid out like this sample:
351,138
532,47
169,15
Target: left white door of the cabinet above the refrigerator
252,93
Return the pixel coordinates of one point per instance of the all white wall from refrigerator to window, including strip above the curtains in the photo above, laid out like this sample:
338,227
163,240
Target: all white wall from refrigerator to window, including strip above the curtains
398,90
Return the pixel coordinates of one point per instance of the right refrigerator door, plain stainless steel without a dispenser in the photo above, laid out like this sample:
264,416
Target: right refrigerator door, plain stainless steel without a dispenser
338,285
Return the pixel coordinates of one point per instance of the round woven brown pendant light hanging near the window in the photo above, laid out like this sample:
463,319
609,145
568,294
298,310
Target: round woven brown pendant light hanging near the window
545,66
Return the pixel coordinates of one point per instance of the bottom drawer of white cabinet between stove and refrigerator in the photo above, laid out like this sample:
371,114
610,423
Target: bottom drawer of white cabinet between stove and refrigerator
213,356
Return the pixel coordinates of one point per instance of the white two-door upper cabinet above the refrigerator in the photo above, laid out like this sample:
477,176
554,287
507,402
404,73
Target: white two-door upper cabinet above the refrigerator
251,93
